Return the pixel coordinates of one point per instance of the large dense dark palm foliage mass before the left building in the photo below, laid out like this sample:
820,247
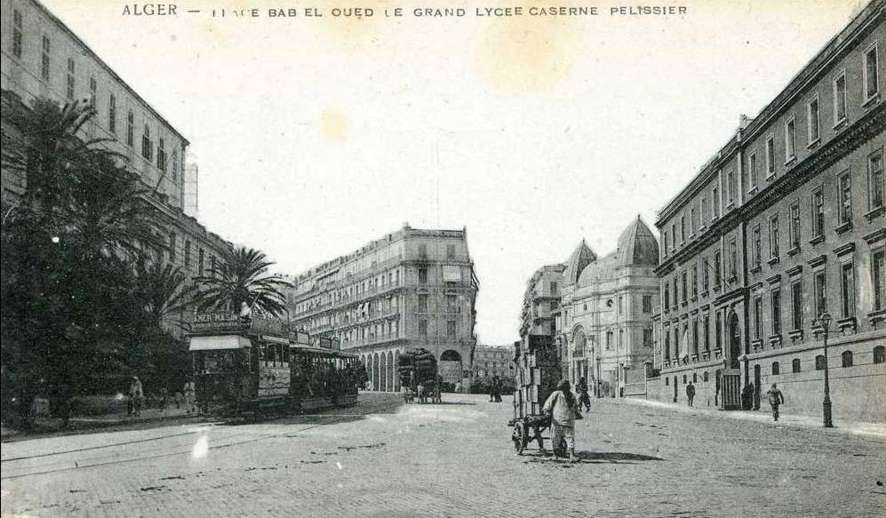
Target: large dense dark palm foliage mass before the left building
71,312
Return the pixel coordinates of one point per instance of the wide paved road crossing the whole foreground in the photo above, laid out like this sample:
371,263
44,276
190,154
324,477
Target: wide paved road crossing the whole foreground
382,458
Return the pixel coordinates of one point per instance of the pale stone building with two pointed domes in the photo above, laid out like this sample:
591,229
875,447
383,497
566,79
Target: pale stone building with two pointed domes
604,326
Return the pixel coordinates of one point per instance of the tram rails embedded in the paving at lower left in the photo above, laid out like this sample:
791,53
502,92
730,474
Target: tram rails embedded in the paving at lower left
84,464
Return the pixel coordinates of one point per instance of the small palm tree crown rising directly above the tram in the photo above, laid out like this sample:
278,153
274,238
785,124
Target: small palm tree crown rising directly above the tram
242,278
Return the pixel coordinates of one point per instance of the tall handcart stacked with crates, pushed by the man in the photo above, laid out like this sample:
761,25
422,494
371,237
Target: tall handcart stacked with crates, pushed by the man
537,374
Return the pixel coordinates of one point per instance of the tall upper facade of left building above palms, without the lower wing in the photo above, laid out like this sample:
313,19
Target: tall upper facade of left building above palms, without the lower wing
42,57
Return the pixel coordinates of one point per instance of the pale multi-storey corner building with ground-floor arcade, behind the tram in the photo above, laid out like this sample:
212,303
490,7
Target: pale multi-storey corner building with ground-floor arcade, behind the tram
410,289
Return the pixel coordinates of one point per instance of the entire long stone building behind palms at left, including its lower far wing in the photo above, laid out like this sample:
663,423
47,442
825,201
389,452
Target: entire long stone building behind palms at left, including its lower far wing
42,57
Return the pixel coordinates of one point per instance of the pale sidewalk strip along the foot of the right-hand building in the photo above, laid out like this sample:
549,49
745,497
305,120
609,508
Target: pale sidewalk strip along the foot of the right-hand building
761,416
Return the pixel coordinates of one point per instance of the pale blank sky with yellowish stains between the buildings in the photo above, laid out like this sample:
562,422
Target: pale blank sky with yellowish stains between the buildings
314,136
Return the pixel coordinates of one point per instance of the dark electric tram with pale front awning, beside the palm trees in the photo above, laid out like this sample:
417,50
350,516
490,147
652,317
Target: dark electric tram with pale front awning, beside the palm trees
255,366
